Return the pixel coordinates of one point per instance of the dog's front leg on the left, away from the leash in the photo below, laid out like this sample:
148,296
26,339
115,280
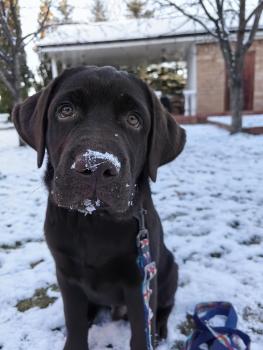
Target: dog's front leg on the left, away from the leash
76,314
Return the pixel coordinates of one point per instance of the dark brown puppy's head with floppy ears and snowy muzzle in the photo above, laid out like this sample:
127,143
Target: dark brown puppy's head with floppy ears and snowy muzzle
103,129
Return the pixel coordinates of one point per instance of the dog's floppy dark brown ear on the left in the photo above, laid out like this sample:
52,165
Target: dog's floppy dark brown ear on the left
30,119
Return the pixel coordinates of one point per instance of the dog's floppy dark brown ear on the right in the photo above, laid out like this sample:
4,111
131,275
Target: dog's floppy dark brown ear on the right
167,138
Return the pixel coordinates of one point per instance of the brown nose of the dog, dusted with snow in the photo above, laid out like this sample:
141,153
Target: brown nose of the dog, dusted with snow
101,169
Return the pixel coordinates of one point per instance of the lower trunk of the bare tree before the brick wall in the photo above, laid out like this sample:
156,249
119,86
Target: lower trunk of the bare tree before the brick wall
236,103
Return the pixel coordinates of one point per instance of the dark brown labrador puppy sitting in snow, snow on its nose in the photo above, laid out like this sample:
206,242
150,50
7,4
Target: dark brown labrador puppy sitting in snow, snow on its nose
105,133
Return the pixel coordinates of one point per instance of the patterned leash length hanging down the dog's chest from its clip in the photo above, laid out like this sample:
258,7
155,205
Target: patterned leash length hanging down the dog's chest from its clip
148,270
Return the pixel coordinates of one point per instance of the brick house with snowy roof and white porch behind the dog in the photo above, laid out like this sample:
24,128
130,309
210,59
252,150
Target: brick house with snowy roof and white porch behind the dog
137,41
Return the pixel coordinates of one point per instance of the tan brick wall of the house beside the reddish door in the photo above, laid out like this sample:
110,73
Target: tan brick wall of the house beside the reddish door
211,78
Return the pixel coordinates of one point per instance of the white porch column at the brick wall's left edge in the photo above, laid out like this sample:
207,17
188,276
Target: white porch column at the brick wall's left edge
190,91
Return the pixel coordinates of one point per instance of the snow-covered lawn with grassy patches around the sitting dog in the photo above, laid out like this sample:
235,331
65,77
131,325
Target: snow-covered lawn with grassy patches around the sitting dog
211,204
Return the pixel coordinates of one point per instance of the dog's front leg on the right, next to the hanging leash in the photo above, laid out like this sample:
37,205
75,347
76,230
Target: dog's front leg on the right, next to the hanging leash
136,315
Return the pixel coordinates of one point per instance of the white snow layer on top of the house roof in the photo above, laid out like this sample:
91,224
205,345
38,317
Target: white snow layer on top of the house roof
132,29
